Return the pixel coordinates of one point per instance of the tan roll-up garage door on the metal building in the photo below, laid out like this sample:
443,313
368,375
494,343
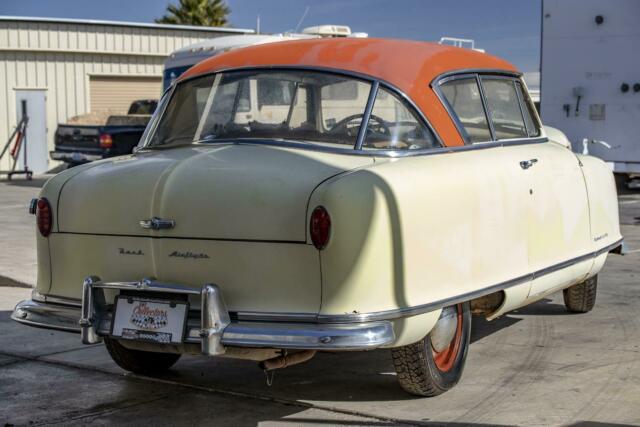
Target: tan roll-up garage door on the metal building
116,93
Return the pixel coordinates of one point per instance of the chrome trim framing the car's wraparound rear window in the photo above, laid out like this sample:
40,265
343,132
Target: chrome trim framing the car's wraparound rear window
357,148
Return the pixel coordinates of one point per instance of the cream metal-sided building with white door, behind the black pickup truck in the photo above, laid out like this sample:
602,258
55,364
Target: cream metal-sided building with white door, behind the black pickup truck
67,67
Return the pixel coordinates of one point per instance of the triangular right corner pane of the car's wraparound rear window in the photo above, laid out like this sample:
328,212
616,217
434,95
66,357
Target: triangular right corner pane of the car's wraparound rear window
393,126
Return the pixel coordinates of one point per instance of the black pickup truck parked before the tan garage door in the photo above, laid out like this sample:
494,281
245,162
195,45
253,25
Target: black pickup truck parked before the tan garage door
77,143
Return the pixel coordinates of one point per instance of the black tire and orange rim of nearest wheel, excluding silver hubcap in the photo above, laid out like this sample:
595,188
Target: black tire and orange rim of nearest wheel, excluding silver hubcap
423,372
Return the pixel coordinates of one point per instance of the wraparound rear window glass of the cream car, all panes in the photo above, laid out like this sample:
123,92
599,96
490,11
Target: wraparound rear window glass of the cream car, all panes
299,105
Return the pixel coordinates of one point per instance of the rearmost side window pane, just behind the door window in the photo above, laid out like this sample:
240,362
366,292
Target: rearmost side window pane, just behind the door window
464,98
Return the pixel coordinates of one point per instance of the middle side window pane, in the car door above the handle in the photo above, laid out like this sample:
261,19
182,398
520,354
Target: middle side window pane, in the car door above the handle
503,104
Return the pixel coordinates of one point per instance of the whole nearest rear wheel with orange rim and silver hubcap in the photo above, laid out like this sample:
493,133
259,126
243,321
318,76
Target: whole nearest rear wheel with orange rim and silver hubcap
434,364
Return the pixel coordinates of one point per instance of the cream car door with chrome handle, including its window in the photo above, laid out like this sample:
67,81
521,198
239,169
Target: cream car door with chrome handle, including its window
557,206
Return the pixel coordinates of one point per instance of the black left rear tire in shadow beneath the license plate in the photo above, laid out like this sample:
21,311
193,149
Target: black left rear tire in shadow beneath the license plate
140,362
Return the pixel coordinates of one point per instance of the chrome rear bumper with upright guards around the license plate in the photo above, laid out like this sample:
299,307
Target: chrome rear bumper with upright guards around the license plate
213,330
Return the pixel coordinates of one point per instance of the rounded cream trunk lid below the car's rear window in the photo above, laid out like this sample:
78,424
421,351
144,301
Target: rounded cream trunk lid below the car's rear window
222,191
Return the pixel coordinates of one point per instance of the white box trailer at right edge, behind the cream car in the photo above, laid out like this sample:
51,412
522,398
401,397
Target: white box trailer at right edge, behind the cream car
590,77
